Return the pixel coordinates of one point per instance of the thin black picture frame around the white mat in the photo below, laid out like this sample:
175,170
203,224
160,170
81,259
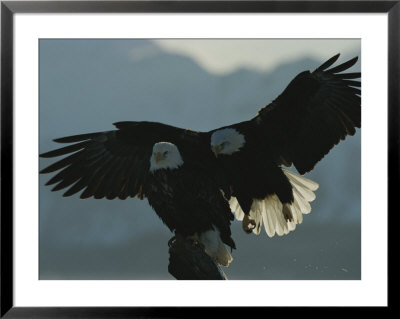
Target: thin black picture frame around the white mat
9,8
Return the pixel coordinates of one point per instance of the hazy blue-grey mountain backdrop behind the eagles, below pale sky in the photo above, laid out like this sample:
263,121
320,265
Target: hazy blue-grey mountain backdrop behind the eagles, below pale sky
86,85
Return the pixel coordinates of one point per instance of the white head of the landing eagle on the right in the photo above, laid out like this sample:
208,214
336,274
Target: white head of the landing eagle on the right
226,141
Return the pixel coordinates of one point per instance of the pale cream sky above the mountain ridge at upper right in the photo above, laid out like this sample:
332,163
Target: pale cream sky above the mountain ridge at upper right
223,56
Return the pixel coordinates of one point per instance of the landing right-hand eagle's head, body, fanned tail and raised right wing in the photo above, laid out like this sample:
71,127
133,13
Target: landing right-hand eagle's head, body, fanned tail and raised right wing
315,112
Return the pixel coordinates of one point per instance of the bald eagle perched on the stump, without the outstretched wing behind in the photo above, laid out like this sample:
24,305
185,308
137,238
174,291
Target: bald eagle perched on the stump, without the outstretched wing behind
189,201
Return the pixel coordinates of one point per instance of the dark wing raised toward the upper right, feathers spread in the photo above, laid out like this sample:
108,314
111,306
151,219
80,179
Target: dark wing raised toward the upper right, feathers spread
315,112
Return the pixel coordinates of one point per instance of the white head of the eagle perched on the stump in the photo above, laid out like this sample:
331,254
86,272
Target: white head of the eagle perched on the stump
165,155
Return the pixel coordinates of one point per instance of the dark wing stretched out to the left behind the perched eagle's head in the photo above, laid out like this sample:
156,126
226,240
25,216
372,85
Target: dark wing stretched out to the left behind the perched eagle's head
115,164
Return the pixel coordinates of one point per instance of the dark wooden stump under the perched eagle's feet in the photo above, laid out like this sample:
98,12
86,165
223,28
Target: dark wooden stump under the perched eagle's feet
188,261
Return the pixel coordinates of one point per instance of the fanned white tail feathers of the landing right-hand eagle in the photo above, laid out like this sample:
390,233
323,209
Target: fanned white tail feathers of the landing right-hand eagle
270,209
